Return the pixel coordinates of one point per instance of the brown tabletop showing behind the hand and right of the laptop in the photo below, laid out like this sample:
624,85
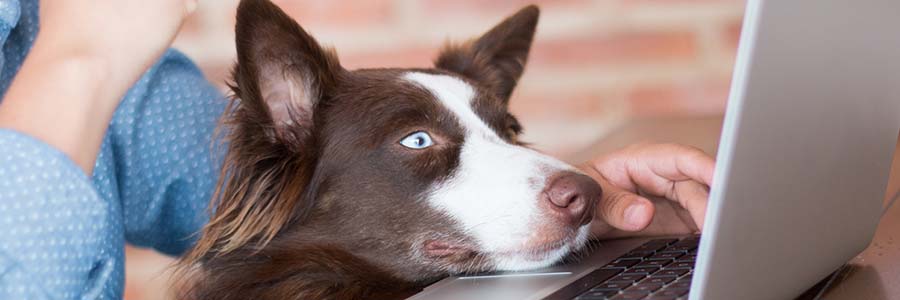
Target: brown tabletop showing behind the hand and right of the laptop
873,274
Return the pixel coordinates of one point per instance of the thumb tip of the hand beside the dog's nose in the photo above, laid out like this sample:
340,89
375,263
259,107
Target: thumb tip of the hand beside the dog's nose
624,210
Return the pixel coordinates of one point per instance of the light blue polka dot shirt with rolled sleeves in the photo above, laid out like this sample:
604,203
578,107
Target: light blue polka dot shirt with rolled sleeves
62,233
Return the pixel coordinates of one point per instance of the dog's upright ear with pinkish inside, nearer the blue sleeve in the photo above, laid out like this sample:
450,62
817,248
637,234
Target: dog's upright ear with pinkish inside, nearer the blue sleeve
281,72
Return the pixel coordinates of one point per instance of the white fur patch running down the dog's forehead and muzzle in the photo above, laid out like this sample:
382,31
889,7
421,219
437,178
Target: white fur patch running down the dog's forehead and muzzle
494,193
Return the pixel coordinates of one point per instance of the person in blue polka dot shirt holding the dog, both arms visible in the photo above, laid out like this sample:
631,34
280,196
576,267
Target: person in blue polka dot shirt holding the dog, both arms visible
105,139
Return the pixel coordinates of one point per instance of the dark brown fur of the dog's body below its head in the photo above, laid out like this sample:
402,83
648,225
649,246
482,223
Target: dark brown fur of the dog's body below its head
279,272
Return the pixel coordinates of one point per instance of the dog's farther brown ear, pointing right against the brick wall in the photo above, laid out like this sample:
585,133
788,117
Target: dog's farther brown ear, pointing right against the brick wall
497,58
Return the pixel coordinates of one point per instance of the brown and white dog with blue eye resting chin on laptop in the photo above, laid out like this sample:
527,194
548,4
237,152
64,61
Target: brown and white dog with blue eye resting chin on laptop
370,183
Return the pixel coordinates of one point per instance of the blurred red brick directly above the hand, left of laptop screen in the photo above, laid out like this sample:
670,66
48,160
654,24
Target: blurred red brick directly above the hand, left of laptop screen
687,99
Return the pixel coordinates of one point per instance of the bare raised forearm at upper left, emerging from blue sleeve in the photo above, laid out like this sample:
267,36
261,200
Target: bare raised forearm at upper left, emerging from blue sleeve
86,56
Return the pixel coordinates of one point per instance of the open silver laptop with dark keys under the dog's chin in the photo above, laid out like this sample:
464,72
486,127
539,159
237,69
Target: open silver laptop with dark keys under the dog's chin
803,162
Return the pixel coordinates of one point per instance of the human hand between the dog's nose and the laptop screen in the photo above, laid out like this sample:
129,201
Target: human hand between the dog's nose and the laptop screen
680,175
